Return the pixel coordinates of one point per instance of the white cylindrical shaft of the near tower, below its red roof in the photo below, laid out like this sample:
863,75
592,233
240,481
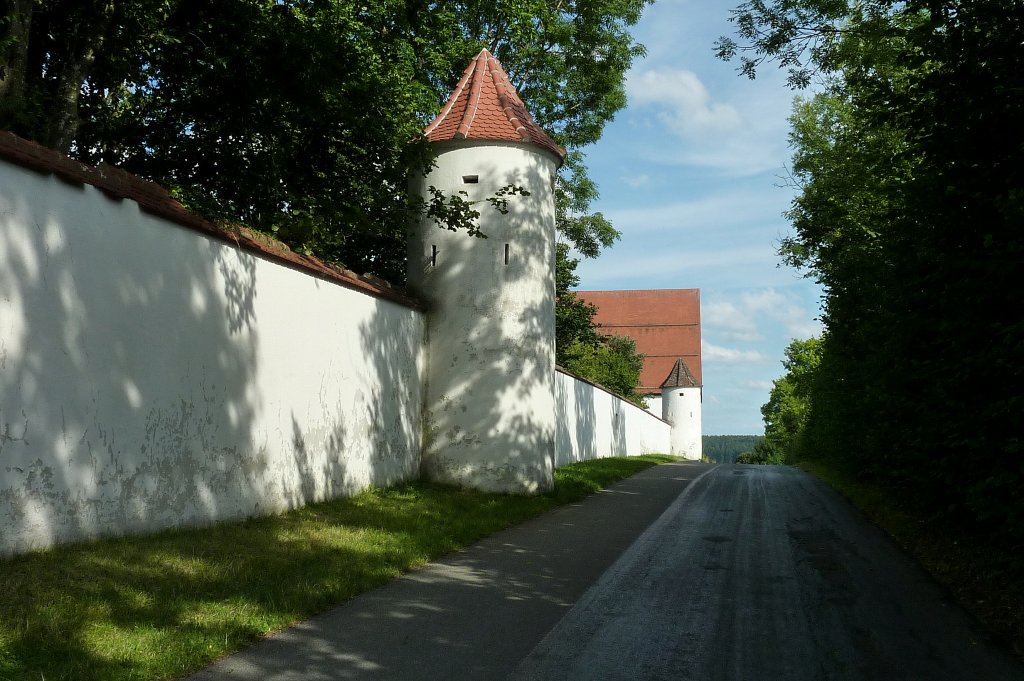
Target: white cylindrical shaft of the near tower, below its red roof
491,337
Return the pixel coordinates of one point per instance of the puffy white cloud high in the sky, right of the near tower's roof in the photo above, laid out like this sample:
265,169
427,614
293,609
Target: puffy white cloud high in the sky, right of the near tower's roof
686,105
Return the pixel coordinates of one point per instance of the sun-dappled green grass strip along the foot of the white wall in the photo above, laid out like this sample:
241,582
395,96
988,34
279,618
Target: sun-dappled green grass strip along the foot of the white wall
163,606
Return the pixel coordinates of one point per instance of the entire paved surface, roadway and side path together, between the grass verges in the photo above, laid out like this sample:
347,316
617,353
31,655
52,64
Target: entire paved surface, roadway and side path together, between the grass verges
685,572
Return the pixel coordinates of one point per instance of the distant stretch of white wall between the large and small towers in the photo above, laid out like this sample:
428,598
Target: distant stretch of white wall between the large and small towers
594,423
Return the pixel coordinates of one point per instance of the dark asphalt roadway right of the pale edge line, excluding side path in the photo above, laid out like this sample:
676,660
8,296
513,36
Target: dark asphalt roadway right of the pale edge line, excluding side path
764,573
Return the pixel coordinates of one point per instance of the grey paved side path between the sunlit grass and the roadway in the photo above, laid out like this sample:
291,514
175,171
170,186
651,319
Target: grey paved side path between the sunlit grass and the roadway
479,612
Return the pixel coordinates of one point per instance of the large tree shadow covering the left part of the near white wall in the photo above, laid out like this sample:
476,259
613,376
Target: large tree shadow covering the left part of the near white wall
124,372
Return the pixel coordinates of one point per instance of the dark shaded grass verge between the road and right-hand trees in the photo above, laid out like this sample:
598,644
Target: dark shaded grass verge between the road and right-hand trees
986,578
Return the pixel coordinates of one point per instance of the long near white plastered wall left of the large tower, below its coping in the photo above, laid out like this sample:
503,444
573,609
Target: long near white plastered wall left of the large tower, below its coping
154,377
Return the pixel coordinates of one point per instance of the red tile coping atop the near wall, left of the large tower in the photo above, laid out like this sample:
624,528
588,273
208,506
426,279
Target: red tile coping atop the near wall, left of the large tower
156,200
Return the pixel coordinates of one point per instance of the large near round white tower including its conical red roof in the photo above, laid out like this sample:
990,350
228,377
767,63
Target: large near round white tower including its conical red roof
490,412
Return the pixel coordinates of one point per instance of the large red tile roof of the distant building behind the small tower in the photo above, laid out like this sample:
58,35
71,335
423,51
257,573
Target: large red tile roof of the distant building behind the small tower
665,324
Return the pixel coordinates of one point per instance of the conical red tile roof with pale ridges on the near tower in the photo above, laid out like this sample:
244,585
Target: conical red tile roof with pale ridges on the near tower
485,106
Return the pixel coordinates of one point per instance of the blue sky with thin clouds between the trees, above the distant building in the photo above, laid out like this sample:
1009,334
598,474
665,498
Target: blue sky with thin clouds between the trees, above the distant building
693,174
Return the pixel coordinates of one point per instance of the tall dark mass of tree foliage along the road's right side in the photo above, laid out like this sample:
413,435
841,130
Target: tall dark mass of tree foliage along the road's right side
910,164
